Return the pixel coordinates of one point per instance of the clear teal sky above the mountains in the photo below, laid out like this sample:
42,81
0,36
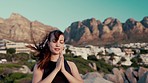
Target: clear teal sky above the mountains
61,13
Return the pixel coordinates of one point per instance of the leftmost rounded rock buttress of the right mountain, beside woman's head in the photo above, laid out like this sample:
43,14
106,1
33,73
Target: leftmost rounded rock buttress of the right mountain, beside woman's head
78,32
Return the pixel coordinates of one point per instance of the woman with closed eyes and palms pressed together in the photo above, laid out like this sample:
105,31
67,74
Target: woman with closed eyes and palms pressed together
51,66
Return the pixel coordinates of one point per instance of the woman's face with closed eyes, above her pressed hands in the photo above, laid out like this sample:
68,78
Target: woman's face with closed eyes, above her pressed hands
56,47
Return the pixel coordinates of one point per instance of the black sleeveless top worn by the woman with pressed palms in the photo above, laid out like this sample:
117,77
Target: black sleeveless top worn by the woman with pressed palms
59,78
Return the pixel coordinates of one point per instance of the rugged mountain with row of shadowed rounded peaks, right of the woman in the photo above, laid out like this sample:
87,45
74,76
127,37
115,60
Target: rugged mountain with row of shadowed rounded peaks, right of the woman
110,31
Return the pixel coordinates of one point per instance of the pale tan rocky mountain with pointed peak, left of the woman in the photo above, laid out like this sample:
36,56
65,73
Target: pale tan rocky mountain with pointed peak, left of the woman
19,28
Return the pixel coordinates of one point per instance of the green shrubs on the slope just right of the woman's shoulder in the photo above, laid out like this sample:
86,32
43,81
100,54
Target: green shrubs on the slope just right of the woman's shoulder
83,67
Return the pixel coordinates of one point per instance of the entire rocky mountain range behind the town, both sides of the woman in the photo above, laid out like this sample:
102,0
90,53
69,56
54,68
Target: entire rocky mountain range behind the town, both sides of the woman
89,31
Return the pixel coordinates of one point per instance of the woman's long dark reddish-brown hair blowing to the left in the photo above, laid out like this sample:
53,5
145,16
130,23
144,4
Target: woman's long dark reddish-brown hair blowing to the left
43,51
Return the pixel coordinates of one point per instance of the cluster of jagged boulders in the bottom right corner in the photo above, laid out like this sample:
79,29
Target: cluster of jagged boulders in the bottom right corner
130,75
